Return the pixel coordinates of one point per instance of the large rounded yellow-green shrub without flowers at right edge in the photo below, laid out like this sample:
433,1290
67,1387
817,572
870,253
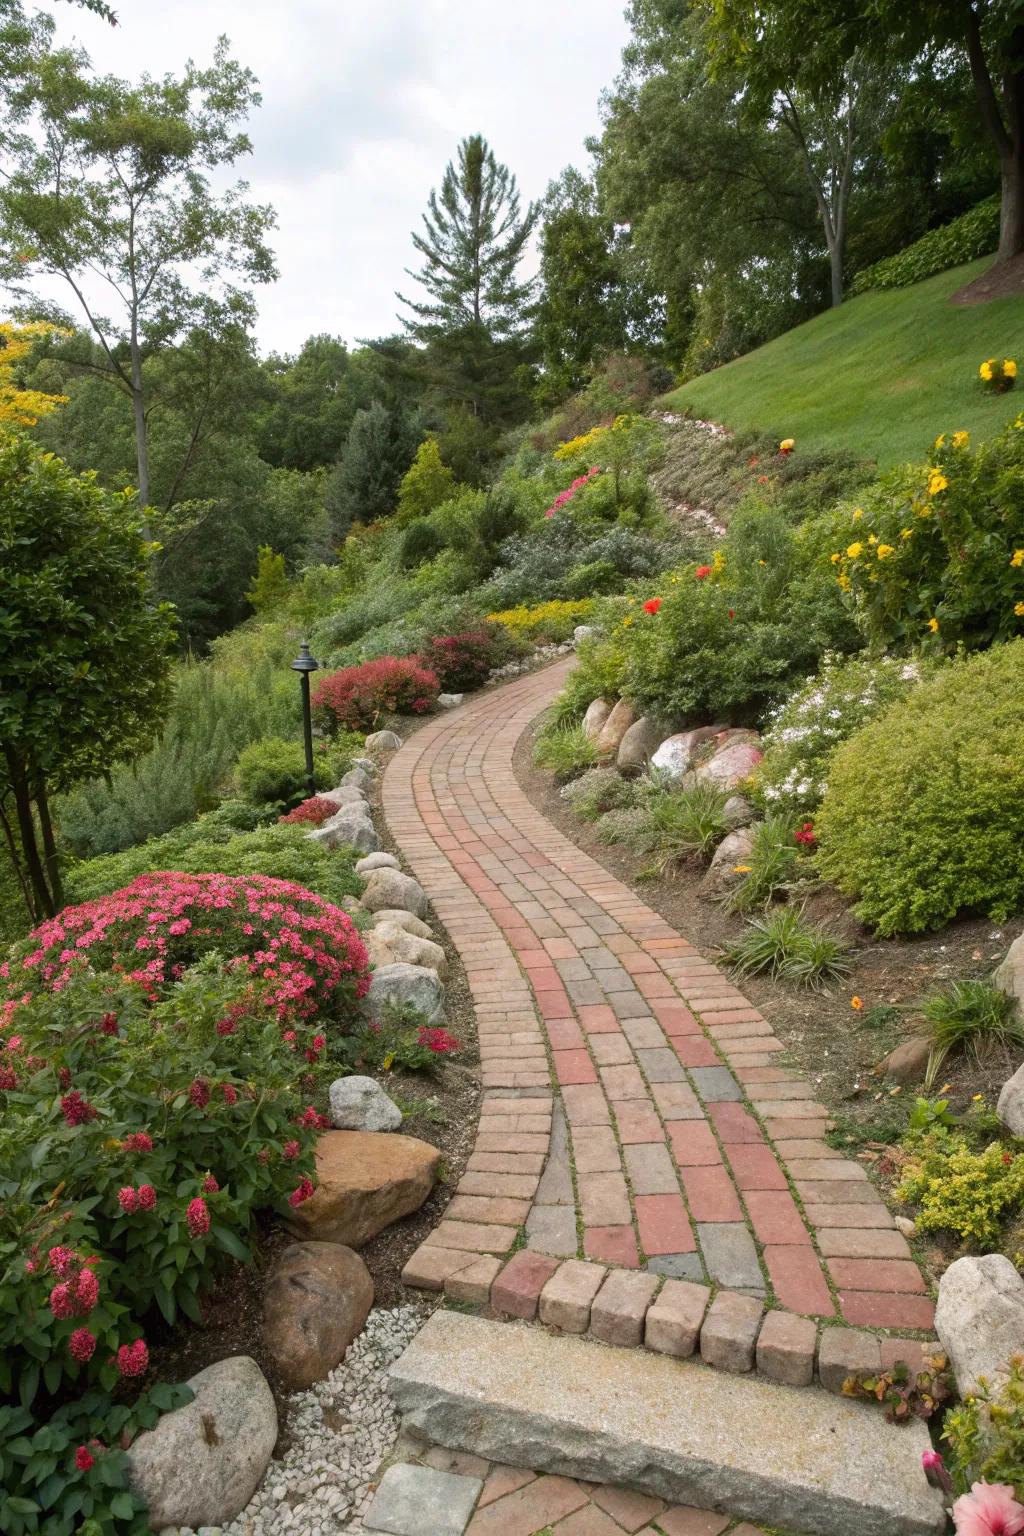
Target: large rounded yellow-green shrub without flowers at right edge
925,810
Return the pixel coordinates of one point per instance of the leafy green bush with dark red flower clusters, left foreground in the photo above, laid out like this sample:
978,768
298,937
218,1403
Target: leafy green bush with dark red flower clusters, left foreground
137,1144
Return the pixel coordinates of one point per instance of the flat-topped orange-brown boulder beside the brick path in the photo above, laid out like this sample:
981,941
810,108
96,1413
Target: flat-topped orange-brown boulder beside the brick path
366,1182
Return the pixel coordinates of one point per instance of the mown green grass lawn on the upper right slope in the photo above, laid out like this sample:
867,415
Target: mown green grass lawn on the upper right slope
880,377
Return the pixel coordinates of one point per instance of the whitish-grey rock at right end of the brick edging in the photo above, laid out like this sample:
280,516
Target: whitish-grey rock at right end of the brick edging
980,1319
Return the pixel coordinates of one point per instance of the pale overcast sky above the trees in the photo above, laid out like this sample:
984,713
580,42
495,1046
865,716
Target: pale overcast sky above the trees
363,105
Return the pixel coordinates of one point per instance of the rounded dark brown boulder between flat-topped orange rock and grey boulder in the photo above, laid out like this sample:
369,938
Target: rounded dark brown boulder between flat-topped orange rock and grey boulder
315,1302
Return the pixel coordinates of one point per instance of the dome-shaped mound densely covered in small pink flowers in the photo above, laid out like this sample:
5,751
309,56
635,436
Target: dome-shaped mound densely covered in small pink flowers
306,950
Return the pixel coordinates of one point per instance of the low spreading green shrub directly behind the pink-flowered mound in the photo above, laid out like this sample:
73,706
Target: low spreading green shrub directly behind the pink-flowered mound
211,847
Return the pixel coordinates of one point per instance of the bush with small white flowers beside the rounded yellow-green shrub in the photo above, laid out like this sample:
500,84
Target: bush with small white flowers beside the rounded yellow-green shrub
824,712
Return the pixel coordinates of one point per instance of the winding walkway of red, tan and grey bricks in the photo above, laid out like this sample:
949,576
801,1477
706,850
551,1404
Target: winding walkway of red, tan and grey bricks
633,1108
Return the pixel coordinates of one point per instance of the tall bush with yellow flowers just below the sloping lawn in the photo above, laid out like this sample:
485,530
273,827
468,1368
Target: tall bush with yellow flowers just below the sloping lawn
937,555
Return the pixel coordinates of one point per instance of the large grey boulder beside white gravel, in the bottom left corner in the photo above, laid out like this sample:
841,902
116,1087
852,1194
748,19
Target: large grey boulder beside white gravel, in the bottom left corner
203,1463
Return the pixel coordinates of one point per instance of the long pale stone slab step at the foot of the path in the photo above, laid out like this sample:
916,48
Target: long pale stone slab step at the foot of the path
799,1458
